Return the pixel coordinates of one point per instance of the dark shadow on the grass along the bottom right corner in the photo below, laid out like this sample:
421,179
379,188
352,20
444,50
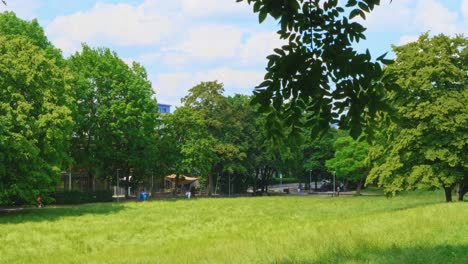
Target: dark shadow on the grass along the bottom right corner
393,255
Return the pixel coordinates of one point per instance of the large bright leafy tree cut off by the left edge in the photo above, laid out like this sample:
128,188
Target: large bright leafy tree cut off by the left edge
35,123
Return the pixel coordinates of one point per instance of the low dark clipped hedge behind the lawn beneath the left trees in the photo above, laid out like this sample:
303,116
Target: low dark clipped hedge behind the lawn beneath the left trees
77,197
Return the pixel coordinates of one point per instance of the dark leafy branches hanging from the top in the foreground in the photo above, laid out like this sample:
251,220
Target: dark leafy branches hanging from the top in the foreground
318,78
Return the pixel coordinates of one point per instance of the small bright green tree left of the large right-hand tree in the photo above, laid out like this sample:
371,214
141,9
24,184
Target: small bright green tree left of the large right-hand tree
350,160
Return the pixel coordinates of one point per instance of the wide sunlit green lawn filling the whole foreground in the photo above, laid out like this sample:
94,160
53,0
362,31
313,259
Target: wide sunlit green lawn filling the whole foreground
413,228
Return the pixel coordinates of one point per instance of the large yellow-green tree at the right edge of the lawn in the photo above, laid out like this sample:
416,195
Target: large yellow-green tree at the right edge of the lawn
427,144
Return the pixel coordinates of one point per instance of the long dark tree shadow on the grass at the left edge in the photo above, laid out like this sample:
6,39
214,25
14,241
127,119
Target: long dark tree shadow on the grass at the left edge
56,213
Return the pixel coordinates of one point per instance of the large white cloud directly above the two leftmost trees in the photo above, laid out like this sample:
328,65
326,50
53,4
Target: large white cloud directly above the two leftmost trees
118,24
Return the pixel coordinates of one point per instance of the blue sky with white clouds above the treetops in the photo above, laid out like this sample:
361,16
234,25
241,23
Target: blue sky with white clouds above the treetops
184,42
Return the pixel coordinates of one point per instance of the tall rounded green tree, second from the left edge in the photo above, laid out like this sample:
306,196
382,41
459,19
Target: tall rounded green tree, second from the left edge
116,116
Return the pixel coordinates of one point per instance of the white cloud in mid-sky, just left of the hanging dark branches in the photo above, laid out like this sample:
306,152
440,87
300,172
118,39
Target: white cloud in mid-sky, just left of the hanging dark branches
218,43
